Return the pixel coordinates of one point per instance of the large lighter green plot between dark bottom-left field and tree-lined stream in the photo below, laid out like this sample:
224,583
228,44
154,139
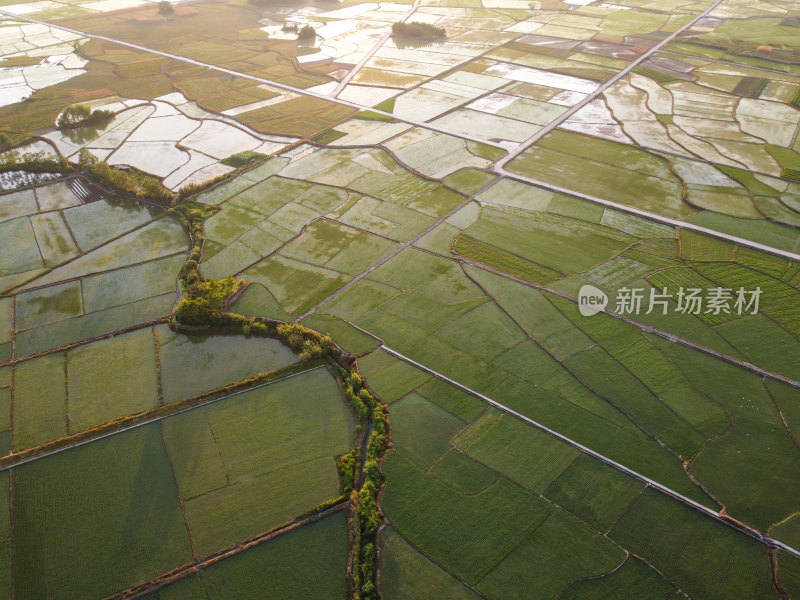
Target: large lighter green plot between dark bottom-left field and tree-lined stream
258,459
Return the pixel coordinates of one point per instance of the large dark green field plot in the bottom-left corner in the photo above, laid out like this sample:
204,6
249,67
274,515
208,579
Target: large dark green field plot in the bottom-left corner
97,519
